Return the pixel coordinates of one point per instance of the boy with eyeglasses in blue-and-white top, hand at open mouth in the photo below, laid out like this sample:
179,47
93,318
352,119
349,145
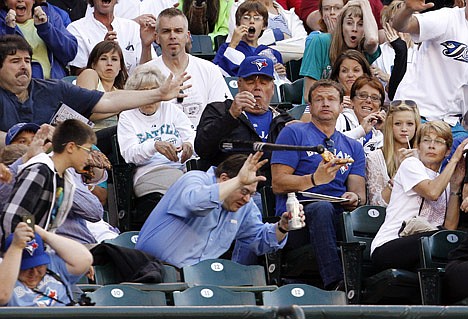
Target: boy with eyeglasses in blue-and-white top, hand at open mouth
251,21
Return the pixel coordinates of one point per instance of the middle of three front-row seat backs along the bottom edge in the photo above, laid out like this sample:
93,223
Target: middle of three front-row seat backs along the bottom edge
208,295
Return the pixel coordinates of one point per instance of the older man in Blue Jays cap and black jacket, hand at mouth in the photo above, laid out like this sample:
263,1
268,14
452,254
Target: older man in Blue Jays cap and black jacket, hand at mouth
249,118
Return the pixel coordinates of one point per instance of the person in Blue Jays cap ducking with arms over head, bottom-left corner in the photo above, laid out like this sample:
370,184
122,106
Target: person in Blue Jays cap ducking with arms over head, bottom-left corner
32,276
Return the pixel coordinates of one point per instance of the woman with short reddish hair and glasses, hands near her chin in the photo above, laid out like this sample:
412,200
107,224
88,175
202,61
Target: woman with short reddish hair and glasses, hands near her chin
365,120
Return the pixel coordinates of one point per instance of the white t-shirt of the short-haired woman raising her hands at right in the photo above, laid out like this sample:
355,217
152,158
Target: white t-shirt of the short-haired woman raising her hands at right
405,202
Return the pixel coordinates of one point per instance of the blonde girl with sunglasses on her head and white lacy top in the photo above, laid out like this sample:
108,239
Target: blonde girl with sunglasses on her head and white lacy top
399,132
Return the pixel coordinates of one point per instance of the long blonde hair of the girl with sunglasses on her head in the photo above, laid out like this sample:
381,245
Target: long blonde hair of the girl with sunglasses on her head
388,148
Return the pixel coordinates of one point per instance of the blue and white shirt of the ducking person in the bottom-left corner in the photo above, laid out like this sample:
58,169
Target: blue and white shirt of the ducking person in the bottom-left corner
23,296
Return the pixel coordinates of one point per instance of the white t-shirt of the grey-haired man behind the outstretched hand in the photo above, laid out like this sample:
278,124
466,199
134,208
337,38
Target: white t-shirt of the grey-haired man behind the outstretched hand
208,85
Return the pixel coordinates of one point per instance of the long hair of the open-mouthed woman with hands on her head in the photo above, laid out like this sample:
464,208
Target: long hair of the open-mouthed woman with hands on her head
338,44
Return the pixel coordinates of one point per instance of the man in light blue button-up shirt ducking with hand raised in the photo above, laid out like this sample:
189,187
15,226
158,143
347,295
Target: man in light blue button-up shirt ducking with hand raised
203,212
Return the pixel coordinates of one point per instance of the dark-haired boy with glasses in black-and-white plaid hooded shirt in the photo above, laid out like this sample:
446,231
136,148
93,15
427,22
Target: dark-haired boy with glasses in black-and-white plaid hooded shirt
44,187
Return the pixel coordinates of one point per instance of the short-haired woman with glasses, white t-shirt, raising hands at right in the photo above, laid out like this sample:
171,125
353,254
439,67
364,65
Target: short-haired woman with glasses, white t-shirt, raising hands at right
420,189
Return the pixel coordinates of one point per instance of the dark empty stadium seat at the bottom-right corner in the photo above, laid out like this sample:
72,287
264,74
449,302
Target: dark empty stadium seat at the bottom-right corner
434,257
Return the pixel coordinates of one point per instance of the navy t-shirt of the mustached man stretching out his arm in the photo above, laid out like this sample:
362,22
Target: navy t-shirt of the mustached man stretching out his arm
44,100
